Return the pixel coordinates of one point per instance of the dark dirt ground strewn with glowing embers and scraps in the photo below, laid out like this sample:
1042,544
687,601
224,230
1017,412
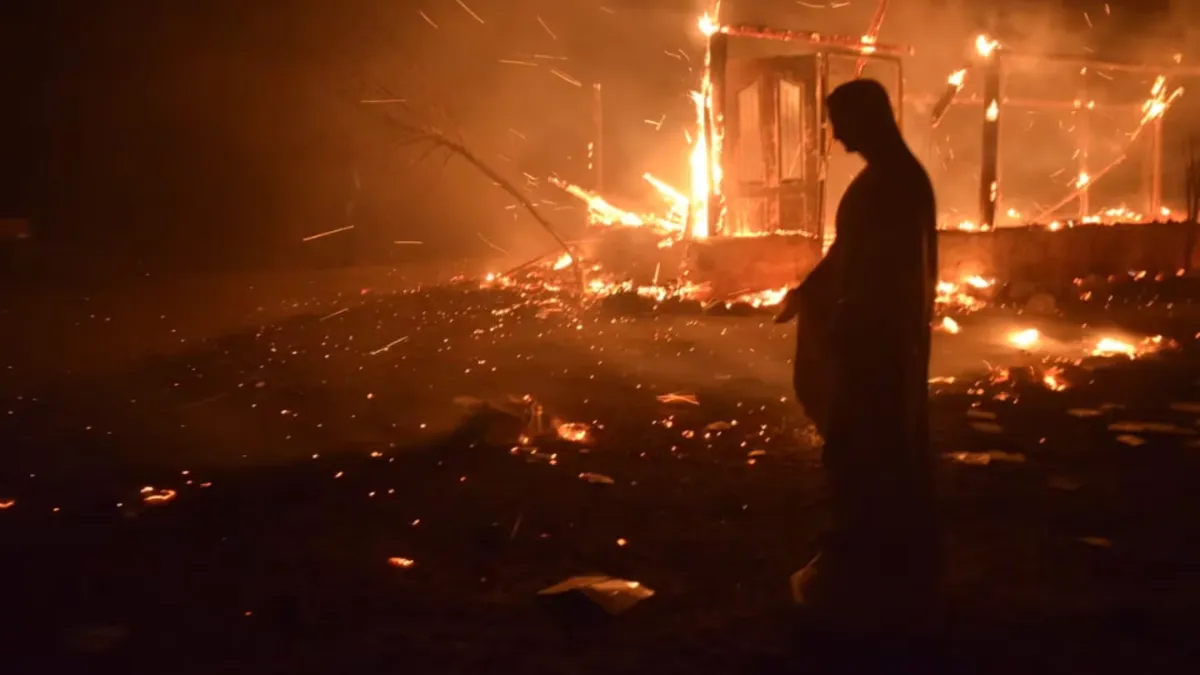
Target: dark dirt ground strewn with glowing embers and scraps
307,446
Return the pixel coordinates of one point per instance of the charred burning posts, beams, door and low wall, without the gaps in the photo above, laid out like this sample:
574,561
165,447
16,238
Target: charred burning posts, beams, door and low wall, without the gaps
765,180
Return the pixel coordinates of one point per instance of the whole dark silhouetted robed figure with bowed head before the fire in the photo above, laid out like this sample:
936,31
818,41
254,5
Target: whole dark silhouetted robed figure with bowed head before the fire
862,373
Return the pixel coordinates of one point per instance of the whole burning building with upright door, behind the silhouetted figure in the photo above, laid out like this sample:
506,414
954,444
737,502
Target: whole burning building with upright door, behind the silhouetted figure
766,177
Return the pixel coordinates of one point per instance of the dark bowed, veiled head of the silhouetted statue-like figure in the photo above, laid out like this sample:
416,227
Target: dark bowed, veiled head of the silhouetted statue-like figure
862,118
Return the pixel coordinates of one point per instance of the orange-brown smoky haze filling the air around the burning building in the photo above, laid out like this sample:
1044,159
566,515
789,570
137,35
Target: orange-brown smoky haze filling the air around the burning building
220,134
